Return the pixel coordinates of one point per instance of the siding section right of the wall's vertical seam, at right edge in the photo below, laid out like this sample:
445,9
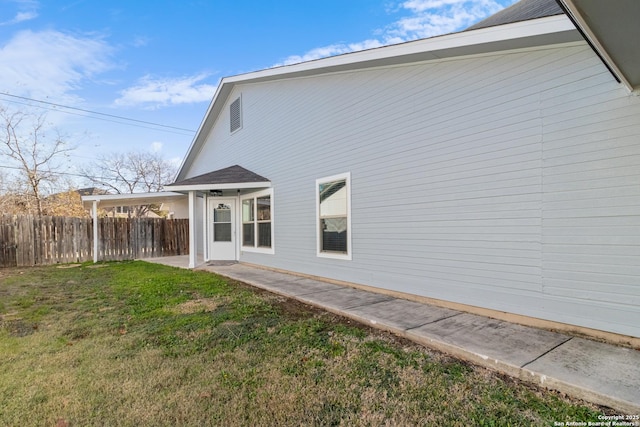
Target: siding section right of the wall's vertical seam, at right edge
591,203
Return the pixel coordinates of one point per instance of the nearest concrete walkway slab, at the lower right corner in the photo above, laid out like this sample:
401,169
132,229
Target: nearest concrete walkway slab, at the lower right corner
593,367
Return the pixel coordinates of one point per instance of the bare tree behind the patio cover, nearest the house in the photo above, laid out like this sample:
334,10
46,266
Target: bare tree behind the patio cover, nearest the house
131,172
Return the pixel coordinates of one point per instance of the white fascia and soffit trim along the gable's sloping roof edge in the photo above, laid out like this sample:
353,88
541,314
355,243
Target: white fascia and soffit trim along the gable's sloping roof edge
517,35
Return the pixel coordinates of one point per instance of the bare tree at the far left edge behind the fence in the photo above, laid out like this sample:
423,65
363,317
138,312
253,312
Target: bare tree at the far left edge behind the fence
35,150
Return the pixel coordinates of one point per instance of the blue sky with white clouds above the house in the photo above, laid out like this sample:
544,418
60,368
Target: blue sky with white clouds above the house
124,75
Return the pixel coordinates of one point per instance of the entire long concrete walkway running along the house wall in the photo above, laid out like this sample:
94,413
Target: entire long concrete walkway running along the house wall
600,373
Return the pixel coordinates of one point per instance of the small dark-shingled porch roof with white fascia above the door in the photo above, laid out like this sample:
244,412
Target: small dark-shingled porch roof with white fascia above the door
232,177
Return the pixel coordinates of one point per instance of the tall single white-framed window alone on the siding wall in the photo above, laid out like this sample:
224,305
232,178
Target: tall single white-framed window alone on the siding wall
334,216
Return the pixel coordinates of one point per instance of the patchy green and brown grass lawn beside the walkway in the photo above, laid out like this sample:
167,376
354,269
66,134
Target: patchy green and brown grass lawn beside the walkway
138,344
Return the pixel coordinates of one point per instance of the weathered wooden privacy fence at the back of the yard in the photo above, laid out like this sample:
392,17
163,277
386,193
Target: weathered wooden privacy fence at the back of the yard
32,240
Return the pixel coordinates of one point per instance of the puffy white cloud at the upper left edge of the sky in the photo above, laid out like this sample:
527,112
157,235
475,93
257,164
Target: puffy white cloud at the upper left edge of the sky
51,64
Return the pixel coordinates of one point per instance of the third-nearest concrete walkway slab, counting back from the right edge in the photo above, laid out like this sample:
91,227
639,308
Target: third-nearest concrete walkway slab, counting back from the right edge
401,315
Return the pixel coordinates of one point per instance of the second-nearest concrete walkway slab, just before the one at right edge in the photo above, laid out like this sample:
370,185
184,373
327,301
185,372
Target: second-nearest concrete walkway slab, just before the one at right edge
492,339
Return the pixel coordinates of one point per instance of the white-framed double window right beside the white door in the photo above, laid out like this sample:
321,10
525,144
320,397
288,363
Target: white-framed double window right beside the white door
257,222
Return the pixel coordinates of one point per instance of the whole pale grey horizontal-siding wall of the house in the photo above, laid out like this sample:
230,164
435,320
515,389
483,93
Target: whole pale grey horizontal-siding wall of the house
504,181
